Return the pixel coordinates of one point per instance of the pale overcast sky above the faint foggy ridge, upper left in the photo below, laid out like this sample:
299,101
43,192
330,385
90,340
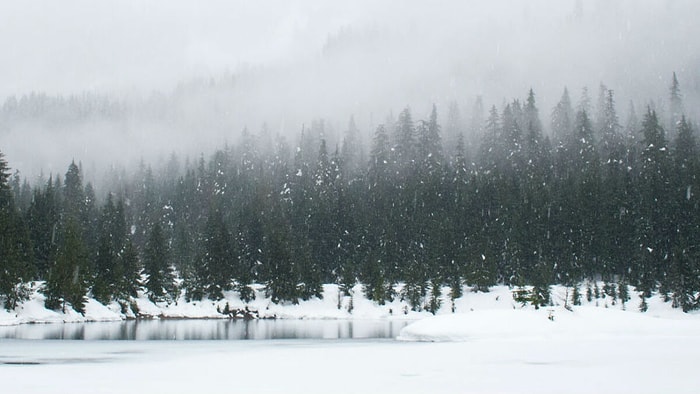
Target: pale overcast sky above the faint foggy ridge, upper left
72,45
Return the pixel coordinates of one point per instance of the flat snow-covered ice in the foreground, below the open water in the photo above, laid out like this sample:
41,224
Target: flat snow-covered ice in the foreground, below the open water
621,363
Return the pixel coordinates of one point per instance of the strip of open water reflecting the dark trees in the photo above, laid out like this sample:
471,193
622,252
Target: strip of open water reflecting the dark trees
145,330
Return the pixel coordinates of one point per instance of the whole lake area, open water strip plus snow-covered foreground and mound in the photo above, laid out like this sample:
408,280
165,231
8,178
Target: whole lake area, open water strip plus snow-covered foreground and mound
590,350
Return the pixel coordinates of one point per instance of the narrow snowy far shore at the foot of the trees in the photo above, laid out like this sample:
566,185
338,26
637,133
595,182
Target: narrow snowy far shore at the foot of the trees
334,305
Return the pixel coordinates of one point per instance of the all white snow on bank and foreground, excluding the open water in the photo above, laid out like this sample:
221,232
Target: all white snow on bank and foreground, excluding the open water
491,345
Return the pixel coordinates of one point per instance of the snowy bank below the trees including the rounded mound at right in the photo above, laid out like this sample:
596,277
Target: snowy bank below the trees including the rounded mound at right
475,314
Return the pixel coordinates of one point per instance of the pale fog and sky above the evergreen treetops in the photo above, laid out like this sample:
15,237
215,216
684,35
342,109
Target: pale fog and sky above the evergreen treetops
188,76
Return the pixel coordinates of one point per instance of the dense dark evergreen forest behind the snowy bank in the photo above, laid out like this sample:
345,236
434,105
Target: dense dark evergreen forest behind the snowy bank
510,204
